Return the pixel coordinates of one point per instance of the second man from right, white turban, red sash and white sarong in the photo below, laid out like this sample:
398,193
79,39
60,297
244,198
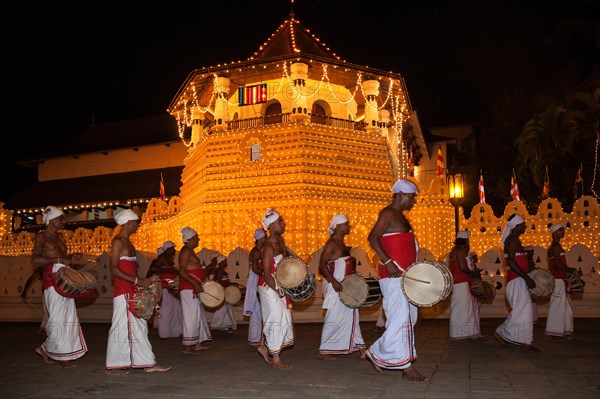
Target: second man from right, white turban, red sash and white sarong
517,329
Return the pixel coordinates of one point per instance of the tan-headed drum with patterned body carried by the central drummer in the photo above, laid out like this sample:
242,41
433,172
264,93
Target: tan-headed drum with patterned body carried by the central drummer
295,279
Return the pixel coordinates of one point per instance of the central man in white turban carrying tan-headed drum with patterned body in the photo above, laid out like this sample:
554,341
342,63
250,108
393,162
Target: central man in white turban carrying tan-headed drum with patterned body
277,317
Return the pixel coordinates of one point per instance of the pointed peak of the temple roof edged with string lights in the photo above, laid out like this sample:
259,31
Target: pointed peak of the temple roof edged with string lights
292,38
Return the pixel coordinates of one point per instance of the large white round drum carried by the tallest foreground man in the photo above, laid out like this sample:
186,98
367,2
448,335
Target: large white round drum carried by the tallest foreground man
427,283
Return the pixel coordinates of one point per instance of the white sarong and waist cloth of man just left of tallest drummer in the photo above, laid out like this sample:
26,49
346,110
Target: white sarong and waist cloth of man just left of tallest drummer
341,332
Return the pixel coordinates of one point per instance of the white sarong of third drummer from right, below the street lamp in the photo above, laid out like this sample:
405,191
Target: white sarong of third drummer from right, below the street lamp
464,313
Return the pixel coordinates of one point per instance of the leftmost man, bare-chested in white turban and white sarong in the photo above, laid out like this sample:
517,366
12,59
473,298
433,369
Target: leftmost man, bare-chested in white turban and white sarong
64,341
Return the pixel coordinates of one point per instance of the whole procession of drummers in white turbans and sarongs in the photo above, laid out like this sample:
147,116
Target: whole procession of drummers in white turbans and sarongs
188,299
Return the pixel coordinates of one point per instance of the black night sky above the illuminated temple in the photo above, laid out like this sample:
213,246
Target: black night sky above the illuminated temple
68,62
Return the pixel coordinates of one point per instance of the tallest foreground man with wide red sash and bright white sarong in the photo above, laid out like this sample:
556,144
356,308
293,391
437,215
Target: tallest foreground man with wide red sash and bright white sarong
393,240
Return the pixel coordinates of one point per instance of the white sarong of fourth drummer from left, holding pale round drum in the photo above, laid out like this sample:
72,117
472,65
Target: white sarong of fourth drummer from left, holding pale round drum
195,325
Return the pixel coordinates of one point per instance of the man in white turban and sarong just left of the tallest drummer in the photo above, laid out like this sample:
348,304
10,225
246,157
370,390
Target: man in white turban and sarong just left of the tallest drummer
341,332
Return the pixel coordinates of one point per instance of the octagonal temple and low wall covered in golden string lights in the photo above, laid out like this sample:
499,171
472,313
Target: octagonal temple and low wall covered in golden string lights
296,128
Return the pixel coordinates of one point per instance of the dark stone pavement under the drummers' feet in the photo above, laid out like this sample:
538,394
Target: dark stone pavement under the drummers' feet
233,369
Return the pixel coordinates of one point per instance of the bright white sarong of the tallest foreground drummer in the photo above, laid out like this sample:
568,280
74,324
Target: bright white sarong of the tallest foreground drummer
395,349
